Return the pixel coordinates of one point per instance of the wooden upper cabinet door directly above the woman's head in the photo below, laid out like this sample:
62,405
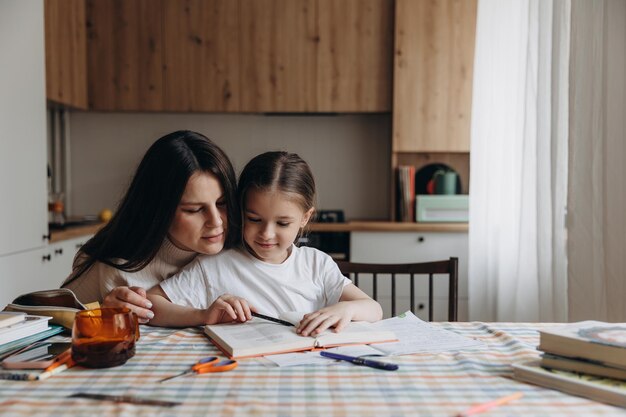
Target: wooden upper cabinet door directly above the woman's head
201,55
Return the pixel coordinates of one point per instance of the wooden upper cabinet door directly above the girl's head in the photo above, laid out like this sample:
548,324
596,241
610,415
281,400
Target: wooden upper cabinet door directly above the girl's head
278,49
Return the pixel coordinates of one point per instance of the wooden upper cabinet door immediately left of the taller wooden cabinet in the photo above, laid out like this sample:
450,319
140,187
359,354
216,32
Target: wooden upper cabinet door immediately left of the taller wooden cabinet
355,55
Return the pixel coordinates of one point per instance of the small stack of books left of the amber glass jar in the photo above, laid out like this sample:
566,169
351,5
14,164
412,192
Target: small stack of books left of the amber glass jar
19,329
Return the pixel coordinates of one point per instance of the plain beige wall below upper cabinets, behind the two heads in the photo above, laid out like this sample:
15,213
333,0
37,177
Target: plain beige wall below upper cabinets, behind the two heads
349,154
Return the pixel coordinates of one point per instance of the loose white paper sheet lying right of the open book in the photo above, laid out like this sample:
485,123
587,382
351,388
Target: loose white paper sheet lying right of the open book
416,335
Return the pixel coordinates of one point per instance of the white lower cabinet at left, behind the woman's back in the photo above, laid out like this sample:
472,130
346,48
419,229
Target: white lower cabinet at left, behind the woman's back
39,269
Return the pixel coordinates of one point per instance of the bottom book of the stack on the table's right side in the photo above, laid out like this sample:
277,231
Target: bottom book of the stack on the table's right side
606,390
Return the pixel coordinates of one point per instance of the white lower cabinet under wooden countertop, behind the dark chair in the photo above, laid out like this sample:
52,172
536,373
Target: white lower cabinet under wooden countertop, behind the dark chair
407,247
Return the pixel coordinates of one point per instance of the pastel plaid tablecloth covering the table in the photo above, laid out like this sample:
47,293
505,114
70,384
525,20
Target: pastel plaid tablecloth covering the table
441,384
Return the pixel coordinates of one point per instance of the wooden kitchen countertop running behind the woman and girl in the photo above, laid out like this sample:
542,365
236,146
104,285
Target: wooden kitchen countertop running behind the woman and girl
351,226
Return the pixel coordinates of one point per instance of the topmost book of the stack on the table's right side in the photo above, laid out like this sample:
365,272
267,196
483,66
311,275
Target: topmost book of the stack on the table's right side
592,340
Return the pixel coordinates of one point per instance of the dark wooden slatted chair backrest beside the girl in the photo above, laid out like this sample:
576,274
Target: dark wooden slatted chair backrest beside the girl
448,267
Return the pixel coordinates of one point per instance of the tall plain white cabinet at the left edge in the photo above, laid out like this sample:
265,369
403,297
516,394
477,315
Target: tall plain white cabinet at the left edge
24,220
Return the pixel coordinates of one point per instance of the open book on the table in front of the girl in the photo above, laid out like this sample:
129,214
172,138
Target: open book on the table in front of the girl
258,337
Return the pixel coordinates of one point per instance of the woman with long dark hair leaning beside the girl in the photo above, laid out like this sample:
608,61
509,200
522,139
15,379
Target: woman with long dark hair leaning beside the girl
181,203
